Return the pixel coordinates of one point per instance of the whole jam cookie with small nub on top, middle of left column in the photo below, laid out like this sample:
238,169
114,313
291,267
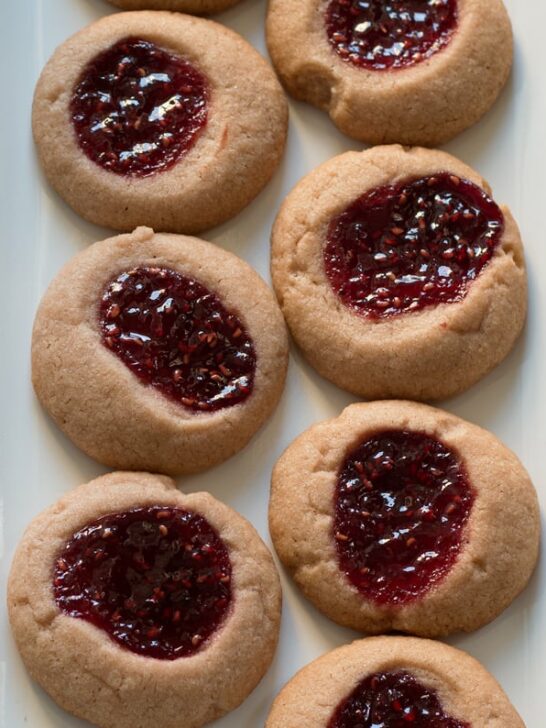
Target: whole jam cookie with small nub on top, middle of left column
158,352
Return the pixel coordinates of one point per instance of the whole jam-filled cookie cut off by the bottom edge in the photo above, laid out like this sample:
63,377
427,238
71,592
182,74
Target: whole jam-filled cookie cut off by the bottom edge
395,682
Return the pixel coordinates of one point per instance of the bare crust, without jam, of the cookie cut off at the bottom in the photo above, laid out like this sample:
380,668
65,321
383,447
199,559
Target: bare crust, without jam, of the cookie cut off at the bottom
467,691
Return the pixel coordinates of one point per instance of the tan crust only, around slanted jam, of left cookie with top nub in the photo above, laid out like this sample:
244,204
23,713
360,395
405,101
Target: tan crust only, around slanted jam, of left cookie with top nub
102,406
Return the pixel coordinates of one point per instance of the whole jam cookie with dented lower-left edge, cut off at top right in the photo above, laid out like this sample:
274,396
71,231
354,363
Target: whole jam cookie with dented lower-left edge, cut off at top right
386,75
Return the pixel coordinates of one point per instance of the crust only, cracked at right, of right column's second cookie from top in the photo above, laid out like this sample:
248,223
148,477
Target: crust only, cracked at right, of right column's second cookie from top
431,354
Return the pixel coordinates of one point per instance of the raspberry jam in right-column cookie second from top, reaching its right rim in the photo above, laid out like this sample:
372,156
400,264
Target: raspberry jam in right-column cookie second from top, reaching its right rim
422,243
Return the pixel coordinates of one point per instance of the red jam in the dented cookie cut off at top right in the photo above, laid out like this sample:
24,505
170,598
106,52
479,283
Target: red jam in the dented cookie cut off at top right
389,34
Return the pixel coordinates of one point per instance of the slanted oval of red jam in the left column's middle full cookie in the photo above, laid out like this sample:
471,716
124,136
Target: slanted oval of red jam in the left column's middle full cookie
176,336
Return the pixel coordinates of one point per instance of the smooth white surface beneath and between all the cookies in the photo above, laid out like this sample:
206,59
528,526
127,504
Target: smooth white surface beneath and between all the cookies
38,464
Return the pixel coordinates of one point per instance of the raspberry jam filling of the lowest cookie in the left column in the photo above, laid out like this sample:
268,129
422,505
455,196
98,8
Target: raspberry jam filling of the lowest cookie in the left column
156,579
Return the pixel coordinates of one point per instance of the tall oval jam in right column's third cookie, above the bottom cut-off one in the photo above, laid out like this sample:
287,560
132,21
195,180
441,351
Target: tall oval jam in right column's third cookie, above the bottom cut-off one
401,503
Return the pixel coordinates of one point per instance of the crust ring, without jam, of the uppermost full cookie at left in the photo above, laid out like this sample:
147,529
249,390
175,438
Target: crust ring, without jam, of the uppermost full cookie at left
231,161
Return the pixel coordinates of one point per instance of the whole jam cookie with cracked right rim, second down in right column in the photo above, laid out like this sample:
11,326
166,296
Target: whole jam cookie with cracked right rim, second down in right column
398,275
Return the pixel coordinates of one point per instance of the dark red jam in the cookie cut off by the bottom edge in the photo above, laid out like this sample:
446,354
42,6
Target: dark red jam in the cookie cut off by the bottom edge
392,700
